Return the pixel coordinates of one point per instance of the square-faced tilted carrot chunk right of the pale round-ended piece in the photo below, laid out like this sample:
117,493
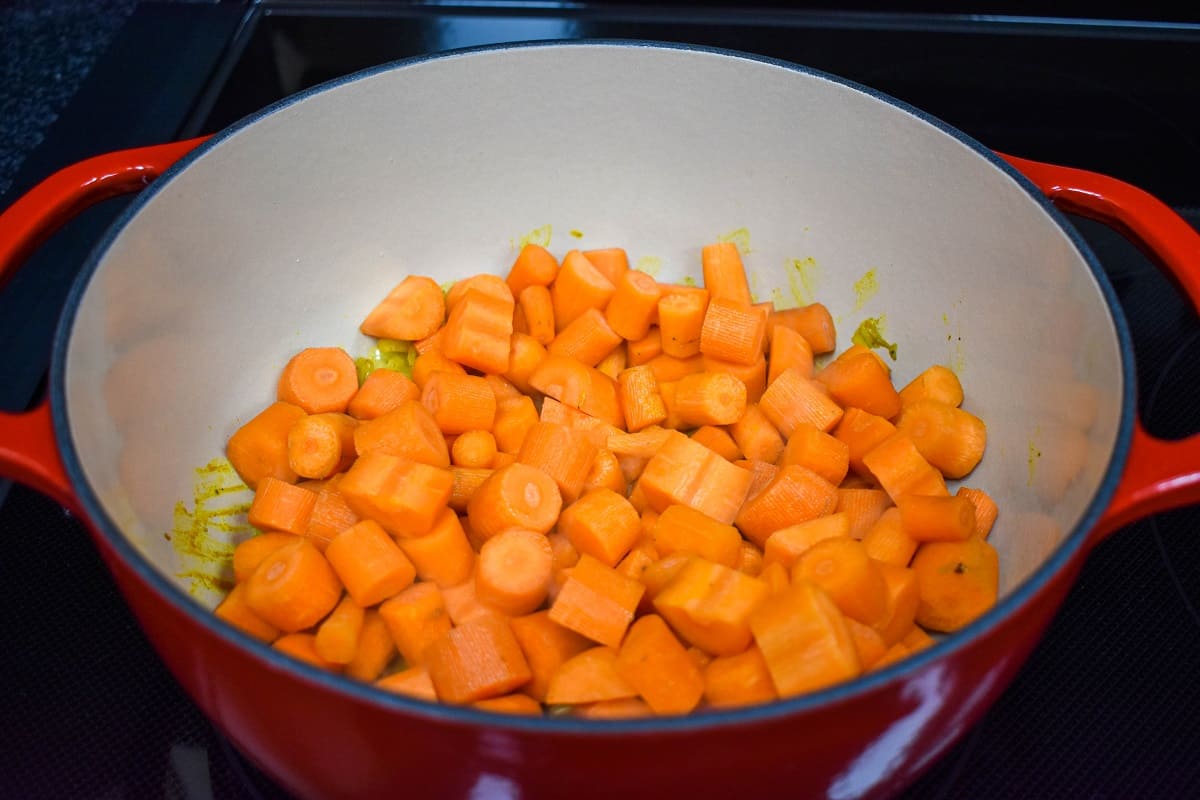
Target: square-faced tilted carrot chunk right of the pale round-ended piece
597,601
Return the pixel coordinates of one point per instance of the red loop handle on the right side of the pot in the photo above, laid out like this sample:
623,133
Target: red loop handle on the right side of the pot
1160,474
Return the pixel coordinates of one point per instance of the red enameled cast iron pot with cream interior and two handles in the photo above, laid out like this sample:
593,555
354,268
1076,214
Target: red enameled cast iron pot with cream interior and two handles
285,230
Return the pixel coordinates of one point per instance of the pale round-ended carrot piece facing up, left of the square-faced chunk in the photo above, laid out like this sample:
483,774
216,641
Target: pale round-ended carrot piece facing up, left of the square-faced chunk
514,570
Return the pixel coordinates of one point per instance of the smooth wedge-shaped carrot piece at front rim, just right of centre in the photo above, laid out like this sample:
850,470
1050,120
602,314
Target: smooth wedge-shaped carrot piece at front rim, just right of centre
655,663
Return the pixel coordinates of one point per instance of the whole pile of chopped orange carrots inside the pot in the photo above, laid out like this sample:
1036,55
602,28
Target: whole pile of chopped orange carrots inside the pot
579,490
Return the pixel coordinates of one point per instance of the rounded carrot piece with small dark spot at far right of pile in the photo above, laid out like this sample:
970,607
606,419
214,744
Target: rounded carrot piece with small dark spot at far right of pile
957,581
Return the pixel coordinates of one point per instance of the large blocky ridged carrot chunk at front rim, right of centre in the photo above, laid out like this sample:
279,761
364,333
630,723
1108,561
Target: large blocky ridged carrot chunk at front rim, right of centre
805,641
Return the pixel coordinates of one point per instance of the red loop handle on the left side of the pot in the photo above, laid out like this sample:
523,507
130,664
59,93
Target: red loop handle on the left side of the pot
28,449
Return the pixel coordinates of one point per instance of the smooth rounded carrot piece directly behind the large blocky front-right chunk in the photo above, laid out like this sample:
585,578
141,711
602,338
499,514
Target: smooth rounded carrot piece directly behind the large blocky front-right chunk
842,567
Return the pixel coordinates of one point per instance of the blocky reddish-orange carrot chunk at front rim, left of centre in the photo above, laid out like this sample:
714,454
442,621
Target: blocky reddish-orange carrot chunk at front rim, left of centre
476,661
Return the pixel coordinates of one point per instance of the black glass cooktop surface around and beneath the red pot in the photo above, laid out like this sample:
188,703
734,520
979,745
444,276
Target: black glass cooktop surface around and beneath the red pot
1109,705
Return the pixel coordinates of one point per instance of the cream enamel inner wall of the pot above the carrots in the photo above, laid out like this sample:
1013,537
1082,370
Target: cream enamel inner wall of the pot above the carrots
290,230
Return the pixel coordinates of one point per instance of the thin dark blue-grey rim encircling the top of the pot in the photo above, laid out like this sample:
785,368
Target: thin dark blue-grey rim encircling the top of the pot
710,719
